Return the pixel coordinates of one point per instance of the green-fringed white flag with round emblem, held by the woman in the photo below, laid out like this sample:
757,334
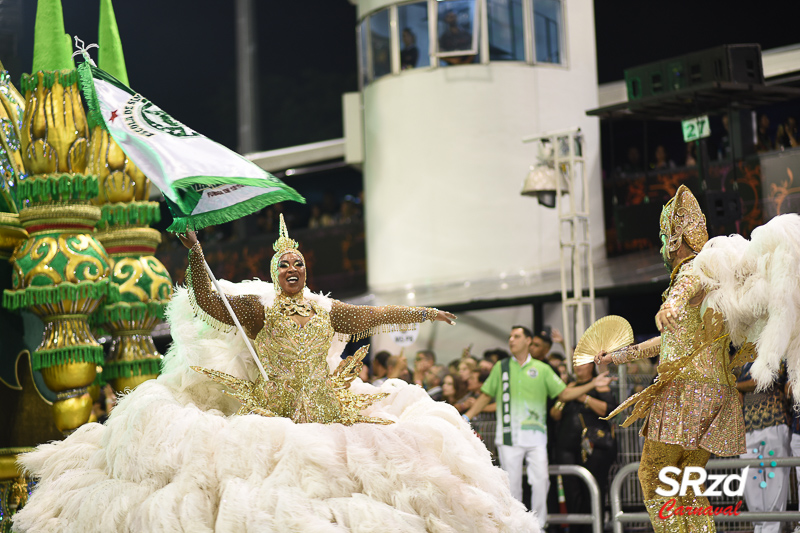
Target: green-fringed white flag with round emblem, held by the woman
204,182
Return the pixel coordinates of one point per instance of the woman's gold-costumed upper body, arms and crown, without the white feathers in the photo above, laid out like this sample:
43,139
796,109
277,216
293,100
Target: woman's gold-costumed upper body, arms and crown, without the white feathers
292,338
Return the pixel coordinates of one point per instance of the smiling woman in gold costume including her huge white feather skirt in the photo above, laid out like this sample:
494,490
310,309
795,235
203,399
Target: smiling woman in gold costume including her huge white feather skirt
239,453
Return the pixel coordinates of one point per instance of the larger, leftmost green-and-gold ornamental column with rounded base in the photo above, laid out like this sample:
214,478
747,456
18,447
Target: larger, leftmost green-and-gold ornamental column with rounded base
61,272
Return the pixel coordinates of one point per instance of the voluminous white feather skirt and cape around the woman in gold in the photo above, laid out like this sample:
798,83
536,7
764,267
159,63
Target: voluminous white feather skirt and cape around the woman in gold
171,458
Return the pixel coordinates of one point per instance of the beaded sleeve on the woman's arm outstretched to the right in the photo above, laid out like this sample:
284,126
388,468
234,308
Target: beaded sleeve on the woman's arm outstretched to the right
361,321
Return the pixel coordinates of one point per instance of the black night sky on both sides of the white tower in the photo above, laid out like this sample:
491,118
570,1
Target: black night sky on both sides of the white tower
181,53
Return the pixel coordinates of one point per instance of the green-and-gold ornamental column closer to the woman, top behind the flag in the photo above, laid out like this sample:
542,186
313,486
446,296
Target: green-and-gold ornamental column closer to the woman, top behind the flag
144,284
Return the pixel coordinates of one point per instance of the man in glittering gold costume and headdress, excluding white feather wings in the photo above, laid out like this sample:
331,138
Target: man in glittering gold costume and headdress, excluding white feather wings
692,410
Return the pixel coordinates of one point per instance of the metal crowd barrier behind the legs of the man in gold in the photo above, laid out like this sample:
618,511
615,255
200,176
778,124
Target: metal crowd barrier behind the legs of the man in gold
619,517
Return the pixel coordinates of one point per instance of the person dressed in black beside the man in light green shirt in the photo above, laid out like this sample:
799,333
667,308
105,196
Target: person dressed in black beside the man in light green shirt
582,438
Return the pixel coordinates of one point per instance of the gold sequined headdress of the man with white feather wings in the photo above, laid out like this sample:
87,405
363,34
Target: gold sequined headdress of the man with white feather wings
682,218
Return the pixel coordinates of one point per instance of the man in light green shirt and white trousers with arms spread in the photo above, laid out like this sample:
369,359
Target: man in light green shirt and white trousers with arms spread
521,386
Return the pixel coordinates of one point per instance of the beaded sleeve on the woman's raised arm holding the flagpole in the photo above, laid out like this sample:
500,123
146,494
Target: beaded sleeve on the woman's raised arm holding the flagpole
209,306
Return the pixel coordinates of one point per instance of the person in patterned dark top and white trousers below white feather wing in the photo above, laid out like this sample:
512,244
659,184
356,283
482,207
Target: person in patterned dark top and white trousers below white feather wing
766,437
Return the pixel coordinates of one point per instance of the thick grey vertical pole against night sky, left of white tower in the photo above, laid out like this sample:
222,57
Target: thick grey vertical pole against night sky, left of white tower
246,76
